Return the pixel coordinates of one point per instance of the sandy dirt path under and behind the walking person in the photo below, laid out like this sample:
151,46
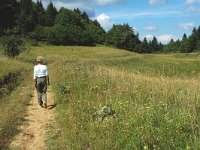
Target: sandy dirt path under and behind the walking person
32,132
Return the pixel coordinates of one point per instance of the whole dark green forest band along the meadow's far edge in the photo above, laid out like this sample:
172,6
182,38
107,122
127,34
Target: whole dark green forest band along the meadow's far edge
30,20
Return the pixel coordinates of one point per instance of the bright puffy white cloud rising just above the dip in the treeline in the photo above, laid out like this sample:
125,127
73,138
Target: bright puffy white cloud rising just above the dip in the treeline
104,21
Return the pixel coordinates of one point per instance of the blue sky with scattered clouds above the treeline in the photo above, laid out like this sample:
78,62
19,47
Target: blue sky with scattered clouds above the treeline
164,19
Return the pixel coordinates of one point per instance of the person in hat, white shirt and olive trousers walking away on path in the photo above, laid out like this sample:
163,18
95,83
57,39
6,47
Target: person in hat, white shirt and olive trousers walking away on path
41,81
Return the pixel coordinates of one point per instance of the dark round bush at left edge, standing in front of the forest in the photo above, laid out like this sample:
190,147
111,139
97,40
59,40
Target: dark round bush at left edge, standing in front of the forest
12,45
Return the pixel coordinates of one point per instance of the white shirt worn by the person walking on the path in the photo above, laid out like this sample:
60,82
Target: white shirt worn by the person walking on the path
40,71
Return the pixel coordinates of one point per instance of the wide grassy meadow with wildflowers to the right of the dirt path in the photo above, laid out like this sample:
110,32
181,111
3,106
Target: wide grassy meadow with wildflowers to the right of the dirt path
156,98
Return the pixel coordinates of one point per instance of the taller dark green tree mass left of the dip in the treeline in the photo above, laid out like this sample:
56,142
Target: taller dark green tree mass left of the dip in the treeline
64,27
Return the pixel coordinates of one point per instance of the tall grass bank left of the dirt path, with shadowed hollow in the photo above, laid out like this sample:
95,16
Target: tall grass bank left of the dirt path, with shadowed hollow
15,92
